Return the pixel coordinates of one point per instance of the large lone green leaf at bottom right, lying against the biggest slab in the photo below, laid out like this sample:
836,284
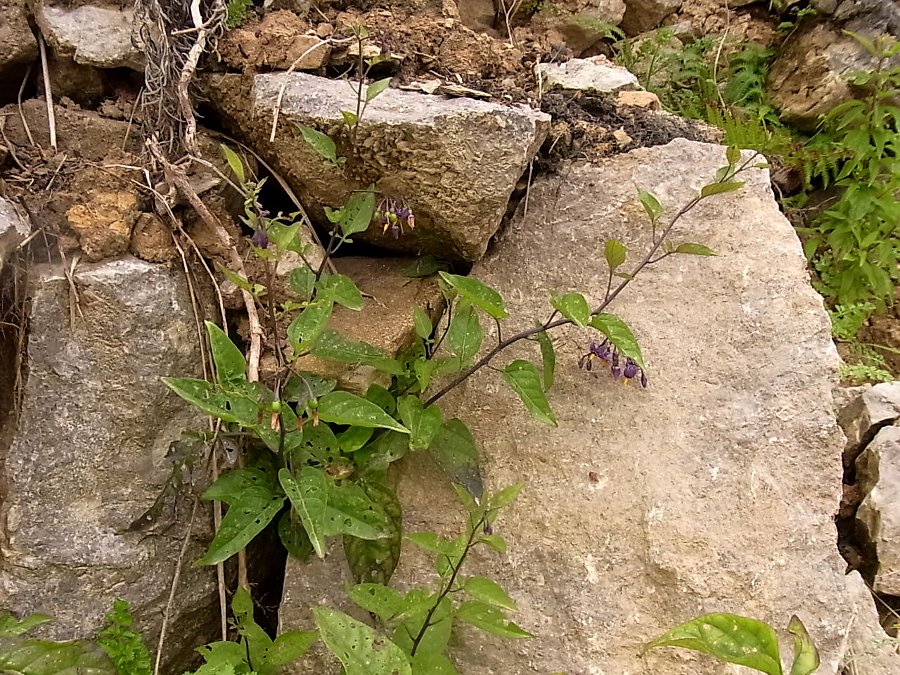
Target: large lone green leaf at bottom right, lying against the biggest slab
728,637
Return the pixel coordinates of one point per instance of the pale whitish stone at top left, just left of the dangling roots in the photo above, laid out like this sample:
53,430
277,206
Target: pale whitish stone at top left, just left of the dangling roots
92,35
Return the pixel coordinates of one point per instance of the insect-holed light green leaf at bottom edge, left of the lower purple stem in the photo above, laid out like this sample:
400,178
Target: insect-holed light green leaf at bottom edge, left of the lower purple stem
358,647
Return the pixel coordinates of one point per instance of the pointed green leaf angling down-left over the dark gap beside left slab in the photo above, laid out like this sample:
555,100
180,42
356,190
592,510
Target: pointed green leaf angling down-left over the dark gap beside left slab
246,517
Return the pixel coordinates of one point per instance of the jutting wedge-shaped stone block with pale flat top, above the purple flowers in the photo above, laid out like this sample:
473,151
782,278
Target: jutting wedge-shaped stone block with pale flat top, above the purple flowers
454,162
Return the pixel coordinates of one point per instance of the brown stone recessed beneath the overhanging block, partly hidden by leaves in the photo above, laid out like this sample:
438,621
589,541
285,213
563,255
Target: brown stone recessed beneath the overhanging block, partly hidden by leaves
386,319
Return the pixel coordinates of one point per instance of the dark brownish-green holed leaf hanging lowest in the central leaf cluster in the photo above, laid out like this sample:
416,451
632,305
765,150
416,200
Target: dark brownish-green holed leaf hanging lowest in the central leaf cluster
375,560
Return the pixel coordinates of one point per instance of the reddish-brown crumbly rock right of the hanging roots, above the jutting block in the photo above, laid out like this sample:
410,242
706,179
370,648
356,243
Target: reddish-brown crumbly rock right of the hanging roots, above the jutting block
280,41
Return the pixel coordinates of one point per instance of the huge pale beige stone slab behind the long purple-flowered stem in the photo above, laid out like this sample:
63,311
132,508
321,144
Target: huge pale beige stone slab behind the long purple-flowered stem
713,489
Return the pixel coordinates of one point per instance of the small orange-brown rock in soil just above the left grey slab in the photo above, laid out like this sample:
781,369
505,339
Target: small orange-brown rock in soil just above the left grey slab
104,223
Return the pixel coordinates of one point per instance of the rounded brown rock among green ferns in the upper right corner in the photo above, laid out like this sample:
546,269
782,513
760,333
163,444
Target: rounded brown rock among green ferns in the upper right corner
807,79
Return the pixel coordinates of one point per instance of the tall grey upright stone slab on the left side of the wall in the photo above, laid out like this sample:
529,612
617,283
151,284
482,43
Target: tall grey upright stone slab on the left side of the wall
91,453
